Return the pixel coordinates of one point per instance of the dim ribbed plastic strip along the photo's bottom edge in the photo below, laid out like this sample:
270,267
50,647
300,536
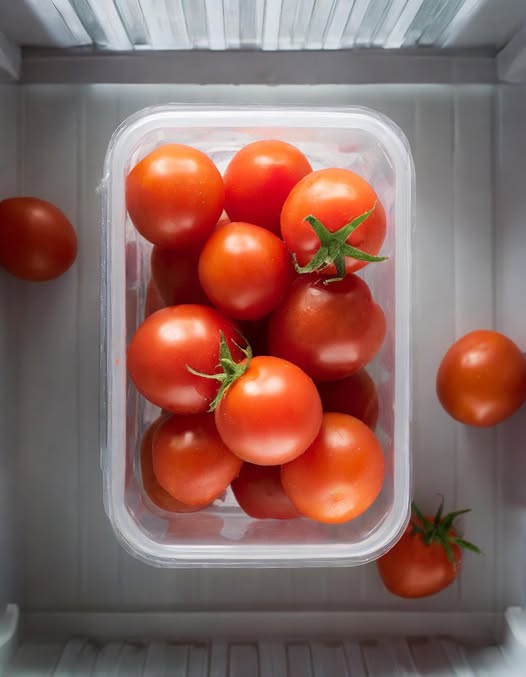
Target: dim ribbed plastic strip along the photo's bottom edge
376,658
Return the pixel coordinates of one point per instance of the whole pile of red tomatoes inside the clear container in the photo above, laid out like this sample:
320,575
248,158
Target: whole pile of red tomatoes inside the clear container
257,331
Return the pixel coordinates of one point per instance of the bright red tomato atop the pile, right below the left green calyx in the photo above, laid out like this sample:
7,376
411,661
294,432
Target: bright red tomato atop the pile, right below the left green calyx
271,413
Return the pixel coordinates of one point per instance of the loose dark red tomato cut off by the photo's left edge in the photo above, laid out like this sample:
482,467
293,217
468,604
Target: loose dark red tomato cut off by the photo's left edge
37,242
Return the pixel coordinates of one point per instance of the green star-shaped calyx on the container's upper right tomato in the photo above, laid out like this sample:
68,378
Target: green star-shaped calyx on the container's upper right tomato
334,247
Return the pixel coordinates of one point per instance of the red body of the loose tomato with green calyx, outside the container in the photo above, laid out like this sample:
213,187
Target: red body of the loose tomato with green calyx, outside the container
412,569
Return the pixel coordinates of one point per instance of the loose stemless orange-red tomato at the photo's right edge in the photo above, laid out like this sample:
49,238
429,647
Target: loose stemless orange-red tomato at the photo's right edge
482,378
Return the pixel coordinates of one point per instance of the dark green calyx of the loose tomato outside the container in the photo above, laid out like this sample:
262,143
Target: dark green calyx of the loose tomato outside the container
437,530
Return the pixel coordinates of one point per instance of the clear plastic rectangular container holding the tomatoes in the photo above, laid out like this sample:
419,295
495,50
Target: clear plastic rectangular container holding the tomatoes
223,535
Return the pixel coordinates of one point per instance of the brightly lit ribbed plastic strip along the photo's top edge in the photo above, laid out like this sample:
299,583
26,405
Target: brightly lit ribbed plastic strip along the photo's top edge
260,24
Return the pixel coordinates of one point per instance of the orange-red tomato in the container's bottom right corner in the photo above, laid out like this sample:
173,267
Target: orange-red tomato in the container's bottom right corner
341,473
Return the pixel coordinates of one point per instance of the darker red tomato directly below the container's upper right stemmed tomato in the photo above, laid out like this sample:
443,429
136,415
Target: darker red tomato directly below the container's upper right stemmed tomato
330,331
